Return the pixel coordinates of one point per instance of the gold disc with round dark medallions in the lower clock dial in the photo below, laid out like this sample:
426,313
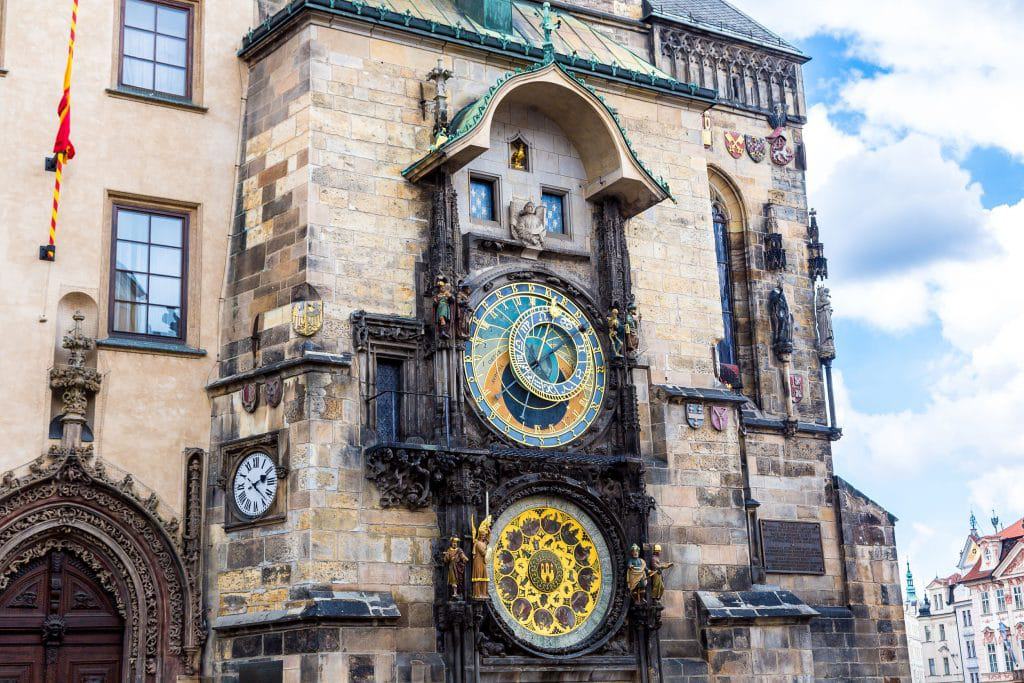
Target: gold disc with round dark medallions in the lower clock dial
546,572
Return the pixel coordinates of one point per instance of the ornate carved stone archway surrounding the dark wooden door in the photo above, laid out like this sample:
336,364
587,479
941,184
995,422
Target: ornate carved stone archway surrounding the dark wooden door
69,502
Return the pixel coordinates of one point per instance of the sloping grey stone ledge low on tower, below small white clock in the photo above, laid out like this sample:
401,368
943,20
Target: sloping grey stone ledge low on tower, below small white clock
322,607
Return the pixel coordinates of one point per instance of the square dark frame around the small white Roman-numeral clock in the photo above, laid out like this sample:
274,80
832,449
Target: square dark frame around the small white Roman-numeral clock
232,455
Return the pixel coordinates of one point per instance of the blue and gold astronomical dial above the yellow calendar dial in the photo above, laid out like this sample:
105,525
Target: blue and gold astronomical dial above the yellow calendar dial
535,365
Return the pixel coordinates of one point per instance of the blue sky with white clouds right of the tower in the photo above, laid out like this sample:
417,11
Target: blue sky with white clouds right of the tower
918,176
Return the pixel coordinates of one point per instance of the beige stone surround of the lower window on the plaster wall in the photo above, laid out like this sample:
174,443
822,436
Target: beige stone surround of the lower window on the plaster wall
192,274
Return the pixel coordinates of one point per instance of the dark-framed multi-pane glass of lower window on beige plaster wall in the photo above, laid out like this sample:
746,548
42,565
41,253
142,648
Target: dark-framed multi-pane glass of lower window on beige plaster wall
148,275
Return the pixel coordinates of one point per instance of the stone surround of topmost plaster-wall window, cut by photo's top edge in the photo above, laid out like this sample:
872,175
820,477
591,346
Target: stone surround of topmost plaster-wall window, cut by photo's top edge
194,77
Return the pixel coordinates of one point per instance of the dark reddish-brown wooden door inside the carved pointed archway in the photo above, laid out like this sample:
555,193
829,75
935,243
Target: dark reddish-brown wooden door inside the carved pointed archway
58,625
